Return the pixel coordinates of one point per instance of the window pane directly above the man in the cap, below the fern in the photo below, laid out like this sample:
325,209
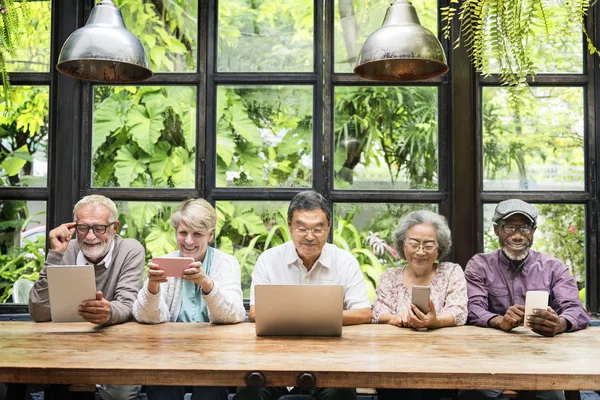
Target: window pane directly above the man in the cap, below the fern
539,148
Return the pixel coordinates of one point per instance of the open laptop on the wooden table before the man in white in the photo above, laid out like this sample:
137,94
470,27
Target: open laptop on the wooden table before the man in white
298,310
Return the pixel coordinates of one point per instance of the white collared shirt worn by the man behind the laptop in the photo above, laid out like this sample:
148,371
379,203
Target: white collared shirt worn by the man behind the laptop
281,265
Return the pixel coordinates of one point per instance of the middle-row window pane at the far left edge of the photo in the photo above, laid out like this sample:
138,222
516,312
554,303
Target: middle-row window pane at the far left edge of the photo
24,137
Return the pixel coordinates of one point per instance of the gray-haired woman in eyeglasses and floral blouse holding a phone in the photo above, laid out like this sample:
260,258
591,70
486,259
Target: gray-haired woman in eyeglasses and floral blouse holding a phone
422,238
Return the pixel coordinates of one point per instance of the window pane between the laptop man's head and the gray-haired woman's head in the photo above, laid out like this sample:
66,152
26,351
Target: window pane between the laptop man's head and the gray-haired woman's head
365,230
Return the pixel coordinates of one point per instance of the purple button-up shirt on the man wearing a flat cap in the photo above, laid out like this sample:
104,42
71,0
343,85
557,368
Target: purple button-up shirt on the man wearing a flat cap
493,287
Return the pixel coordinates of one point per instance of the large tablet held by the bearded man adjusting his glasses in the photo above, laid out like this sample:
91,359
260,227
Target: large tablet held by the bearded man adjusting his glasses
68,287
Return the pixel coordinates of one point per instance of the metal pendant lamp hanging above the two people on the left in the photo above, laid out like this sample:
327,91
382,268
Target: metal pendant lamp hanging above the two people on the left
104,50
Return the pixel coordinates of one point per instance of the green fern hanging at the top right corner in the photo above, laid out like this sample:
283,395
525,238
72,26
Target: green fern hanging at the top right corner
503,30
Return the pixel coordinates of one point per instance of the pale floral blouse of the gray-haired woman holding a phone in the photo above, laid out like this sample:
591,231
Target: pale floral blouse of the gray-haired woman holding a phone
448,292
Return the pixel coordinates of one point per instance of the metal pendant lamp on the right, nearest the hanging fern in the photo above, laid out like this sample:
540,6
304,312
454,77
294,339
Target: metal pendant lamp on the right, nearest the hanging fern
402,49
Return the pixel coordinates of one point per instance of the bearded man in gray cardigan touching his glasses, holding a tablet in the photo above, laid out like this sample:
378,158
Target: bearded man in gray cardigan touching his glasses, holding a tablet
118,265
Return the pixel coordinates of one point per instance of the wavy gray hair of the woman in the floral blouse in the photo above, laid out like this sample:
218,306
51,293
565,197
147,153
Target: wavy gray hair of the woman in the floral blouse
423,217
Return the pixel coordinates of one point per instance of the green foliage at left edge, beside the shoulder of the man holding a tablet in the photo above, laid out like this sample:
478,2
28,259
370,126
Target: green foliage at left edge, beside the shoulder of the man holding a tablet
25,262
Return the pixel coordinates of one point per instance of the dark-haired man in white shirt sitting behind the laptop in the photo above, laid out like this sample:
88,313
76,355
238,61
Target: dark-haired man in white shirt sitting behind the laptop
309,259
